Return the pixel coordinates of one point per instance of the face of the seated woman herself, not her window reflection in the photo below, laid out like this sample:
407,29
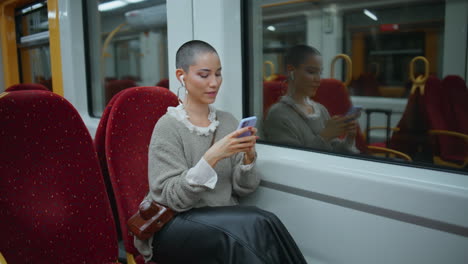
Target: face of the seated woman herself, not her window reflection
204,78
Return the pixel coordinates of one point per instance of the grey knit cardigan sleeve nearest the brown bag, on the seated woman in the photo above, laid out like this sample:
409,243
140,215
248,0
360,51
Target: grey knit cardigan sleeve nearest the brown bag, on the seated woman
168,168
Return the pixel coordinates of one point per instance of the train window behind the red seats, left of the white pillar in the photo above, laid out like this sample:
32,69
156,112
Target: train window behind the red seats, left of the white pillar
126,46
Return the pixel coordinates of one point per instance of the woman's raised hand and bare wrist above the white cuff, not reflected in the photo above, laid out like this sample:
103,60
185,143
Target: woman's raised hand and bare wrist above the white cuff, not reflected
230,145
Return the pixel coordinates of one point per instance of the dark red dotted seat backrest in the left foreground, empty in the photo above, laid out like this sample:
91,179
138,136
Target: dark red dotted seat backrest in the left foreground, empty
54,205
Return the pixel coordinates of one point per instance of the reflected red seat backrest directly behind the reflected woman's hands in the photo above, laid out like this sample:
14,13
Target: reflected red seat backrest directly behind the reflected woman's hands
333,95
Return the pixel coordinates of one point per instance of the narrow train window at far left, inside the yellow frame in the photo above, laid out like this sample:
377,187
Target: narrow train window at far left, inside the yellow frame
32,34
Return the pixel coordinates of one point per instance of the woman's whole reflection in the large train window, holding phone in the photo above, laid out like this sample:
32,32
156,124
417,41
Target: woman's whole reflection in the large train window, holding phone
300,121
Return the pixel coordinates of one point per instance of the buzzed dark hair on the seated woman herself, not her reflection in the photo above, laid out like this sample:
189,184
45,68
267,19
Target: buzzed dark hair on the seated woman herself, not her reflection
186,54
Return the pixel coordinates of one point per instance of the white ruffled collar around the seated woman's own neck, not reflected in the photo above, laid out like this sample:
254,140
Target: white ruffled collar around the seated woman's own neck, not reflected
181,115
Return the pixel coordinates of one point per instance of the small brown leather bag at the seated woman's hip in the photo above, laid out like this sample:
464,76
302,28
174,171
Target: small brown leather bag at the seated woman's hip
149,219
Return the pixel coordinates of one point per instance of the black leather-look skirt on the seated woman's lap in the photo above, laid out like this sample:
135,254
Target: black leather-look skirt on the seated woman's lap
227,235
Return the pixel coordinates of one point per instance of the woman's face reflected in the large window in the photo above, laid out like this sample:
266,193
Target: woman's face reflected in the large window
307,76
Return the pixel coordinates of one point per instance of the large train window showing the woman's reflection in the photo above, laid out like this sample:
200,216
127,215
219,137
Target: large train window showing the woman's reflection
384,80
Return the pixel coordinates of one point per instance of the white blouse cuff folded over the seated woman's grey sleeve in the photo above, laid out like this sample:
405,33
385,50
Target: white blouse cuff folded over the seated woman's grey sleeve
202,175
